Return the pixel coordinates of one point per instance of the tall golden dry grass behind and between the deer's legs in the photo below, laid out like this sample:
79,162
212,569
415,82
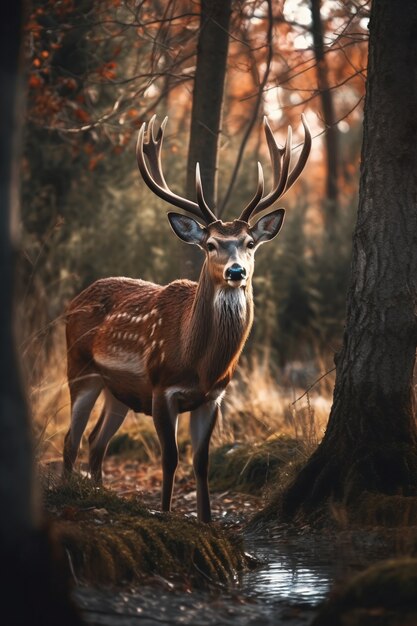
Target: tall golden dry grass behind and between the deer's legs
257,408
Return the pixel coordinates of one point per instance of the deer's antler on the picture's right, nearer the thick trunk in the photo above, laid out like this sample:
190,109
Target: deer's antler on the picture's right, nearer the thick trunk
283,178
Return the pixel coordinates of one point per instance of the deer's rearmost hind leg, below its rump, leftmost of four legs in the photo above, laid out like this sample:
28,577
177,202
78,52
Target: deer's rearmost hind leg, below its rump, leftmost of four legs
84,391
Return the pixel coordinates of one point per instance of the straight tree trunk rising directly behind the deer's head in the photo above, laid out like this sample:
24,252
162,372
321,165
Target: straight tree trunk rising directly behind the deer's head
212,48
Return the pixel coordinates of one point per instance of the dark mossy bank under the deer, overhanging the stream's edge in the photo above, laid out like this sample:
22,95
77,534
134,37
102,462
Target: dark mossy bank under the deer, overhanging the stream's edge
131,548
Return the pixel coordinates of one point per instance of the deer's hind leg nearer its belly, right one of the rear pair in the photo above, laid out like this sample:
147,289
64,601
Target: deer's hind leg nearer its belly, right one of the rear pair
110,420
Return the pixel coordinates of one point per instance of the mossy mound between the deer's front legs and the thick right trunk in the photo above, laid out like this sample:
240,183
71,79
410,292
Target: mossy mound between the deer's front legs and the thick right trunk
249,467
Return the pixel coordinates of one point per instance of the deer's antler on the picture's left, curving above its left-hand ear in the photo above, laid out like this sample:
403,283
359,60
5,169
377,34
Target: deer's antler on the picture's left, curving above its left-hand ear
155,178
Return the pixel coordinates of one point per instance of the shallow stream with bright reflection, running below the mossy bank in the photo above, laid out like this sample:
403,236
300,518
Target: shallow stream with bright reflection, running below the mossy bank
295,574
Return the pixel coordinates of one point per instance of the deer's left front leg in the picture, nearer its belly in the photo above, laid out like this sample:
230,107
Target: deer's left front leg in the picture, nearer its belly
165,417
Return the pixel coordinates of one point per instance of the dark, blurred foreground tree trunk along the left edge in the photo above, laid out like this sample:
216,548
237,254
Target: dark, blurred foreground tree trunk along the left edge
33,589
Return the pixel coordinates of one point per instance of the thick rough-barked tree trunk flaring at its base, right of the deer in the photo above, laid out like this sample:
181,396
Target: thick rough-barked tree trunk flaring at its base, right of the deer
370,442
